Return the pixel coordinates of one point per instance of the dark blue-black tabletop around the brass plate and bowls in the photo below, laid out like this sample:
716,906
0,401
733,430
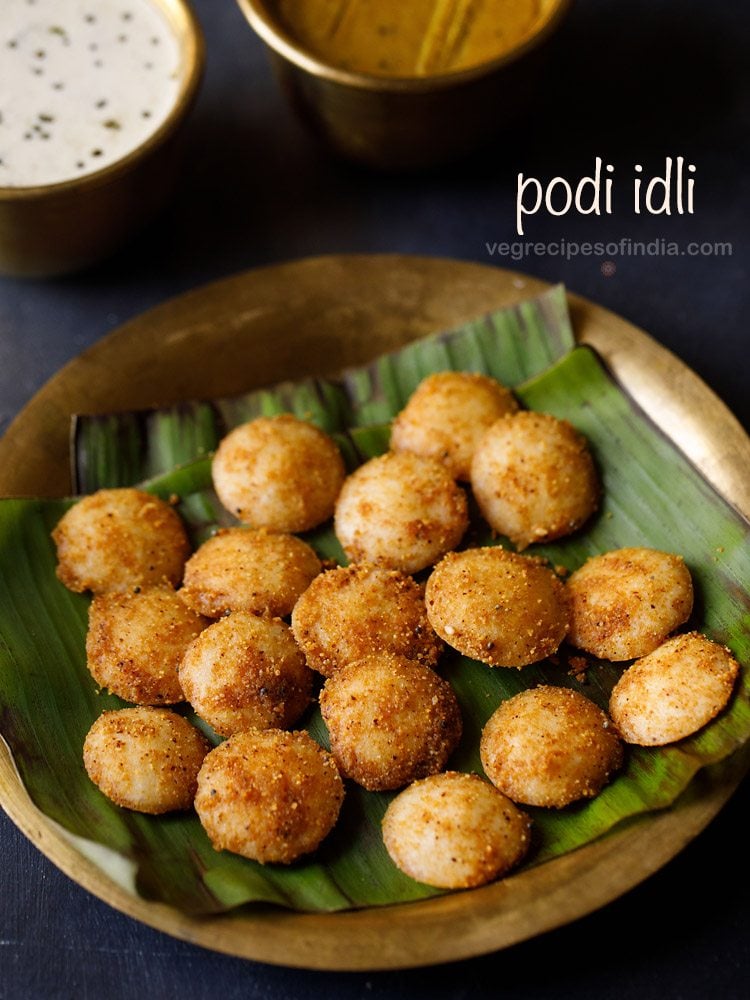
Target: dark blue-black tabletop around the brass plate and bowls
631,81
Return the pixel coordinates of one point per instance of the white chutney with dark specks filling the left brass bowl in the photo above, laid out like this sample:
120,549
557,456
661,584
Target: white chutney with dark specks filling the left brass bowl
82,84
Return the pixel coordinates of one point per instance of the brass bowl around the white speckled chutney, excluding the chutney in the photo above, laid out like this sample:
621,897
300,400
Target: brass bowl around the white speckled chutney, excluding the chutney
56,228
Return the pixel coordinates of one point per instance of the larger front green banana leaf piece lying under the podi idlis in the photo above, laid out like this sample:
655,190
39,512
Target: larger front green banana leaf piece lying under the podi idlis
652,495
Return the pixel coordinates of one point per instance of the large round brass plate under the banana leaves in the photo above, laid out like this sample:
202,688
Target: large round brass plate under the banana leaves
314,317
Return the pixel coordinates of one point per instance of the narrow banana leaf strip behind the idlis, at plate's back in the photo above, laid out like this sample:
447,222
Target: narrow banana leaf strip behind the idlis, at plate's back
512,345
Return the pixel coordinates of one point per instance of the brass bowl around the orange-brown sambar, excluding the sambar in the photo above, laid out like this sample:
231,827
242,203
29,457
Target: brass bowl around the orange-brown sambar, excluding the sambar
399,123
